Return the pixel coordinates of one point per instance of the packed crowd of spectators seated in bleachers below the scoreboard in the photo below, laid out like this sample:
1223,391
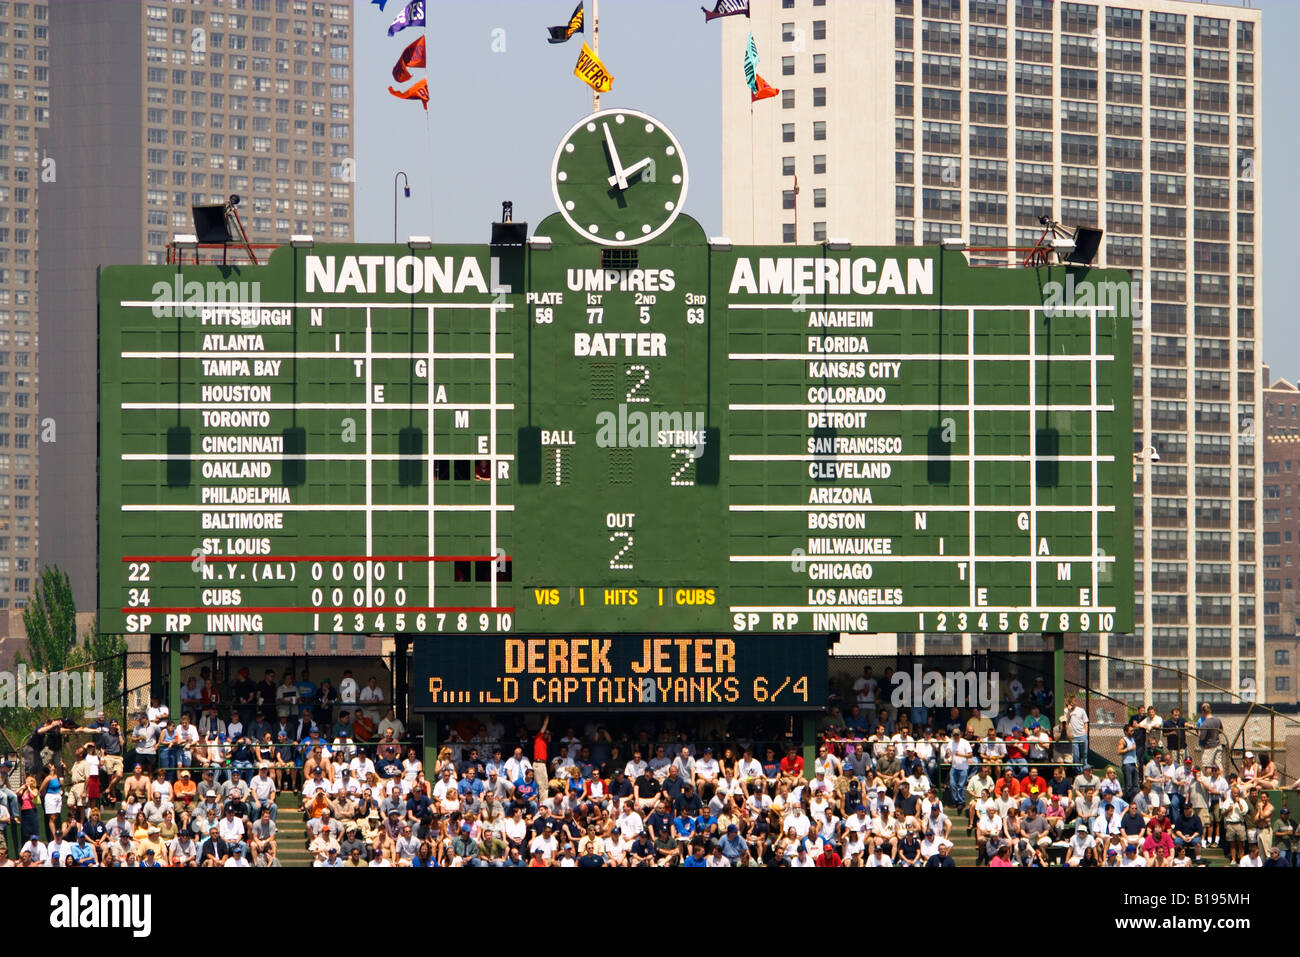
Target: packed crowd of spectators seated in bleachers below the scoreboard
889,789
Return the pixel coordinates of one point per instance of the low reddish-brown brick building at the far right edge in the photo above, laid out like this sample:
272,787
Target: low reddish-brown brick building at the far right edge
1281,525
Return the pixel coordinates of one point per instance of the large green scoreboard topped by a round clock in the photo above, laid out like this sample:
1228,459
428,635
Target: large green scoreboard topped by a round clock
617,428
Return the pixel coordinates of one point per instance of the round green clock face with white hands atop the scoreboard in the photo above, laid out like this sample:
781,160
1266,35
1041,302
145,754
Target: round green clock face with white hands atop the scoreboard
619,177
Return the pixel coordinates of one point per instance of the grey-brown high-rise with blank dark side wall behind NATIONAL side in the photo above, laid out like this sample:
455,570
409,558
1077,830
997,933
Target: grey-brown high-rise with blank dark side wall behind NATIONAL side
158,106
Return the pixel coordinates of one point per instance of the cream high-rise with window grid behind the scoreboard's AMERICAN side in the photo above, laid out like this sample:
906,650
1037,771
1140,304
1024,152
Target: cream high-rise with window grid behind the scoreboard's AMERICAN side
908,122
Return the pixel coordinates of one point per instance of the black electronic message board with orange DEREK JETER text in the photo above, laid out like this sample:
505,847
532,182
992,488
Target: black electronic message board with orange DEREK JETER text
582,673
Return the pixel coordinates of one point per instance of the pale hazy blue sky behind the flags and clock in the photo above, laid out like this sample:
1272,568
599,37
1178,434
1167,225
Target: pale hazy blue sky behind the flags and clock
502,97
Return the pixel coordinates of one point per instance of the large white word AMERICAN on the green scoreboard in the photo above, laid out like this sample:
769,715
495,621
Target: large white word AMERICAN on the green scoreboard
799,276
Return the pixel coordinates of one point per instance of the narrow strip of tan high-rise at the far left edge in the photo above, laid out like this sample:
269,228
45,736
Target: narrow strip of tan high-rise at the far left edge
24,119
